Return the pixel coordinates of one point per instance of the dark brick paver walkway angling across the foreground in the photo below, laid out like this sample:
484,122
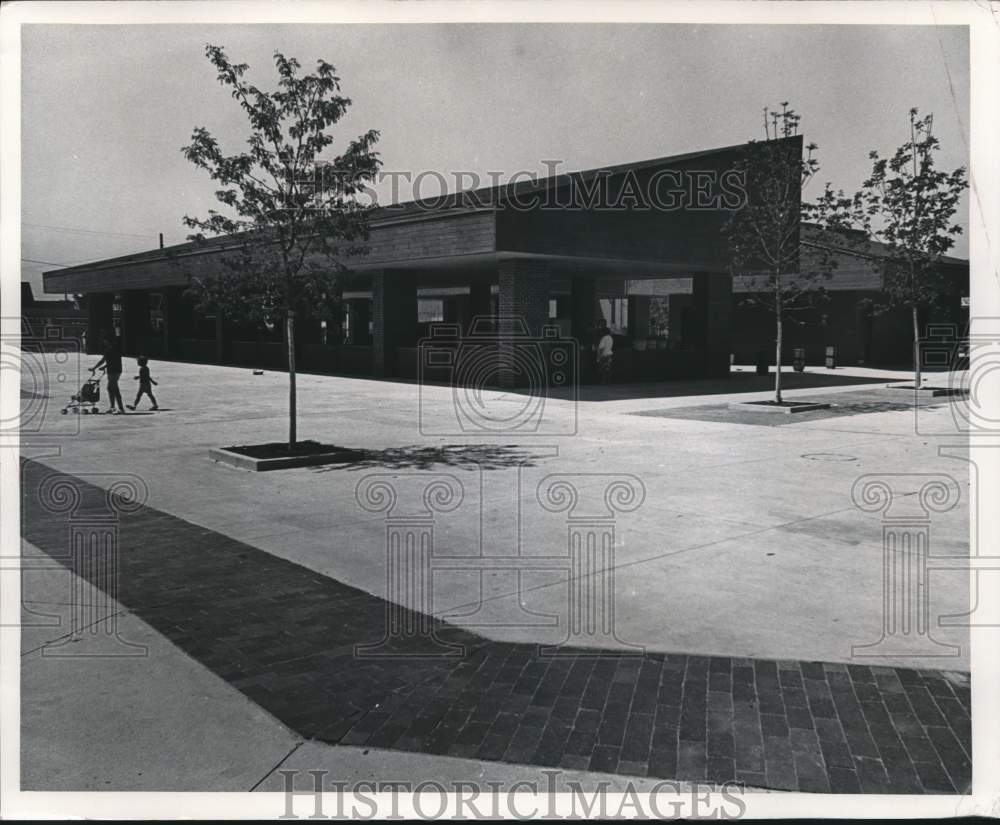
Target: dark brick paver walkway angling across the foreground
285,637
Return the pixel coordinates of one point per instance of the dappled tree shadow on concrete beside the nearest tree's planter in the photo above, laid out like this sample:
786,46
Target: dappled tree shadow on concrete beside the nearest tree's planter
485,456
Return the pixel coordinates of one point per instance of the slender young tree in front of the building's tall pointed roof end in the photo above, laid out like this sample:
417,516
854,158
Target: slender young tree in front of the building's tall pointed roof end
784,275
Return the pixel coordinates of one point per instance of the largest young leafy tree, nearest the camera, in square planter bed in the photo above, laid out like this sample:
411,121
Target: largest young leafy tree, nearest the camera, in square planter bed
293,215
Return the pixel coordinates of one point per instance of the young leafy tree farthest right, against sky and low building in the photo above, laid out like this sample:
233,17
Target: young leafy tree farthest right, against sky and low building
909,206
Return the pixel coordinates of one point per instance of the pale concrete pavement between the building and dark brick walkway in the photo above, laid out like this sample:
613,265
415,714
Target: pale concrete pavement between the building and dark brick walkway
746,544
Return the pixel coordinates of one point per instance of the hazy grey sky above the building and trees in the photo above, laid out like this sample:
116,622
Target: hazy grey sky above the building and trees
106,109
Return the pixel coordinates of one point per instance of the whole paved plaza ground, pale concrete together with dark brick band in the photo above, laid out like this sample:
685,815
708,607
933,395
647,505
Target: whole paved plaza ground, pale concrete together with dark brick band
747,583
